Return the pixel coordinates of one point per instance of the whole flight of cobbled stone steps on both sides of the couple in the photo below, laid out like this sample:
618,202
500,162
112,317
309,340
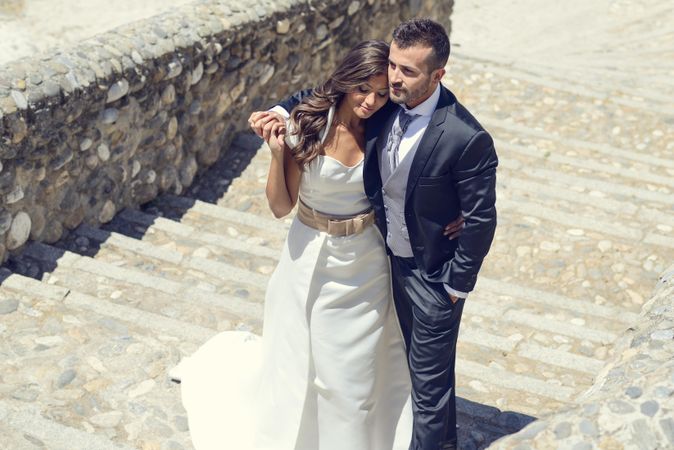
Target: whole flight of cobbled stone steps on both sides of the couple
91,324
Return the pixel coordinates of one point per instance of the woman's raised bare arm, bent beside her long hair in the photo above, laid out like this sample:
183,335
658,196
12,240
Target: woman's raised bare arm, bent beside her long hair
283,182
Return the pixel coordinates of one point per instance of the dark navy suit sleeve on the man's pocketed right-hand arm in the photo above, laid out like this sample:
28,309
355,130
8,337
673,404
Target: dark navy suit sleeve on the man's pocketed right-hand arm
475,183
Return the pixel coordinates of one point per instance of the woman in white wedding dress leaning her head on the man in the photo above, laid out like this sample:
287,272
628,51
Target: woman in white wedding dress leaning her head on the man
329,372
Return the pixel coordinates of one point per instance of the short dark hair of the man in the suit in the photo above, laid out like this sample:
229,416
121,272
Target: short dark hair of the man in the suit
426,33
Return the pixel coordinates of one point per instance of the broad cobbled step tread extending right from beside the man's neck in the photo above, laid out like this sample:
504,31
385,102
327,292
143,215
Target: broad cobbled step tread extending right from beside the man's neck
574,116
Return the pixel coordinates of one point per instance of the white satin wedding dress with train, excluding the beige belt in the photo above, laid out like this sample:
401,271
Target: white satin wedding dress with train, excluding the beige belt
329,372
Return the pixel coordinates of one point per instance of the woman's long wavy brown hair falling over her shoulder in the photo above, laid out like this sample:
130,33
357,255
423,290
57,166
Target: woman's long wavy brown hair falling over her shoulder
309,118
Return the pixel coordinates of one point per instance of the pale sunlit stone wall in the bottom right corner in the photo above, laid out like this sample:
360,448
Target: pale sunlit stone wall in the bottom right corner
631,405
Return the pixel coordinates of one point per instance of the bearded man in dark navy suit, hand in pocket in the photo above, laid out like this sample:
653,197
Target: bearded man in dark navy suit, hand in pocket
427,161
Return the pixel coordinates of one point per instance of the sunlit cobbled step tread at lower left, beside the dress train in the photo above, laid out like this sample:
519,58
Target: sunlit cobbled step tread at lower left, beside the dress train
99,367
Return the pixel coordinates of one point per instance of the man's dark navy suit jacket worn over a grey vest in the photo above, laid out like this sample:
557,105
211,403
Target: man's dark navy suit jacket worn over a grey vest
453,172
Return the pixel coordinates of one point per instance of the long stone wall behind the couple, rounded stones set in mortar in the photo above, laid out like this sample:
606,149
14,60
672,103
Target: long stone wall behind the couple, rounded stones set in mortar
140,110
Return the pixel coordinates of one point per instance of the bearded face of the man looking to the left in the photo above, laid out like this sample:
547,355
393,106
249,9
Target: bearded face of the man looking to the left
410,79
